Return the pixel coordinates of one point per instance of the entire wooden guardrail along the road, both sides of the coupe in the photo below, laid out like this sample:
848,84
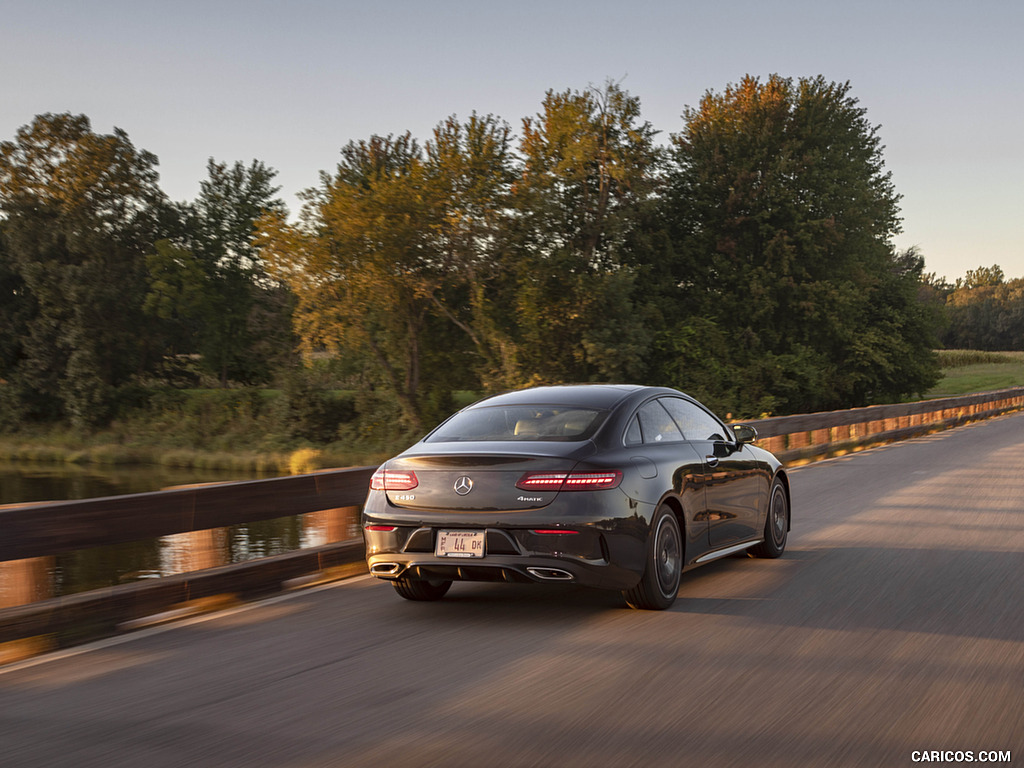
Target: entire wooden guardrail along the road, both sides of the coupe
29,533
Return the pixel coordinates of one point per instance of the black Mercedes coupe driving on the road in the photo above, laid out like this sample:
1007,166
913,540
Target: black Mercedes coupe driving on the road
613,487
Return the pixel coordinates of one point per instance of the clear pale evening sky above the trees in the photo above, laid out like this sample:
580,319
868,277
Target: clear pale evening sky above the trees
292,82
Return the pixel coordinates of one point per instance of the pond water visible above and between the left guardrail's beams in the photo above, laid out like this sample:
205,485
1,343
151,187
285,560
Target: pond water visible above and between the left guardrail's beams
105,567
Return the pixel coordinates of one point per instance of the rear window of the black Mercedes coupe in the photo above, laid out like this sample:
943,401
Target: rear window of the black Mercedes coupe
516,423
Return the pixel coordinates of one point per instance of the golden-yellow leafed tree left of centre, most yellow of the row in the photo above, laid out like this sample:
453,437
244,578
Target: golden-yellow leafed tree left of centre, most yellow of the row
364,267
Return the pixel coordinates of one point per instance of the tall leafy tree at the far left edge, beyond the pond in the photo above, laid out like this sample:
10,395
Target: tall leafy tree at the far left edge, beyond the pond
80,210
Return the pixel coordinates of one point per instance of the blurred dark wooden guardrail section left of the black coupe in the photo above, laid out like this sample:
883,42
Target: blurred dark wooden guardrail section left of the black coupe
31,534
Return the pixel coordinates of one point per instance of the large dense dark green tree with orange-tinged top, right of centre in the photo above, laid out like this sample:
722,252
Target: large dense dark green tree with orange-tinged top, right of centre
781,217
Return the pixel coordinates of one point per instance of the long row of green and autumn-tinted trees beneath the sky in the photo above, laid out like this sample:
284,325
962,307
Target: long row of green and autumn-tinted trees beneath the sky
748,261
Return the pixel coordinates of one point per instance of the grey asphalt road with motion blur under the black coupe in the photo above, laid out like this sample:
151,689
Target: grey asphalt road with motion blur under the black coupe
892,625
